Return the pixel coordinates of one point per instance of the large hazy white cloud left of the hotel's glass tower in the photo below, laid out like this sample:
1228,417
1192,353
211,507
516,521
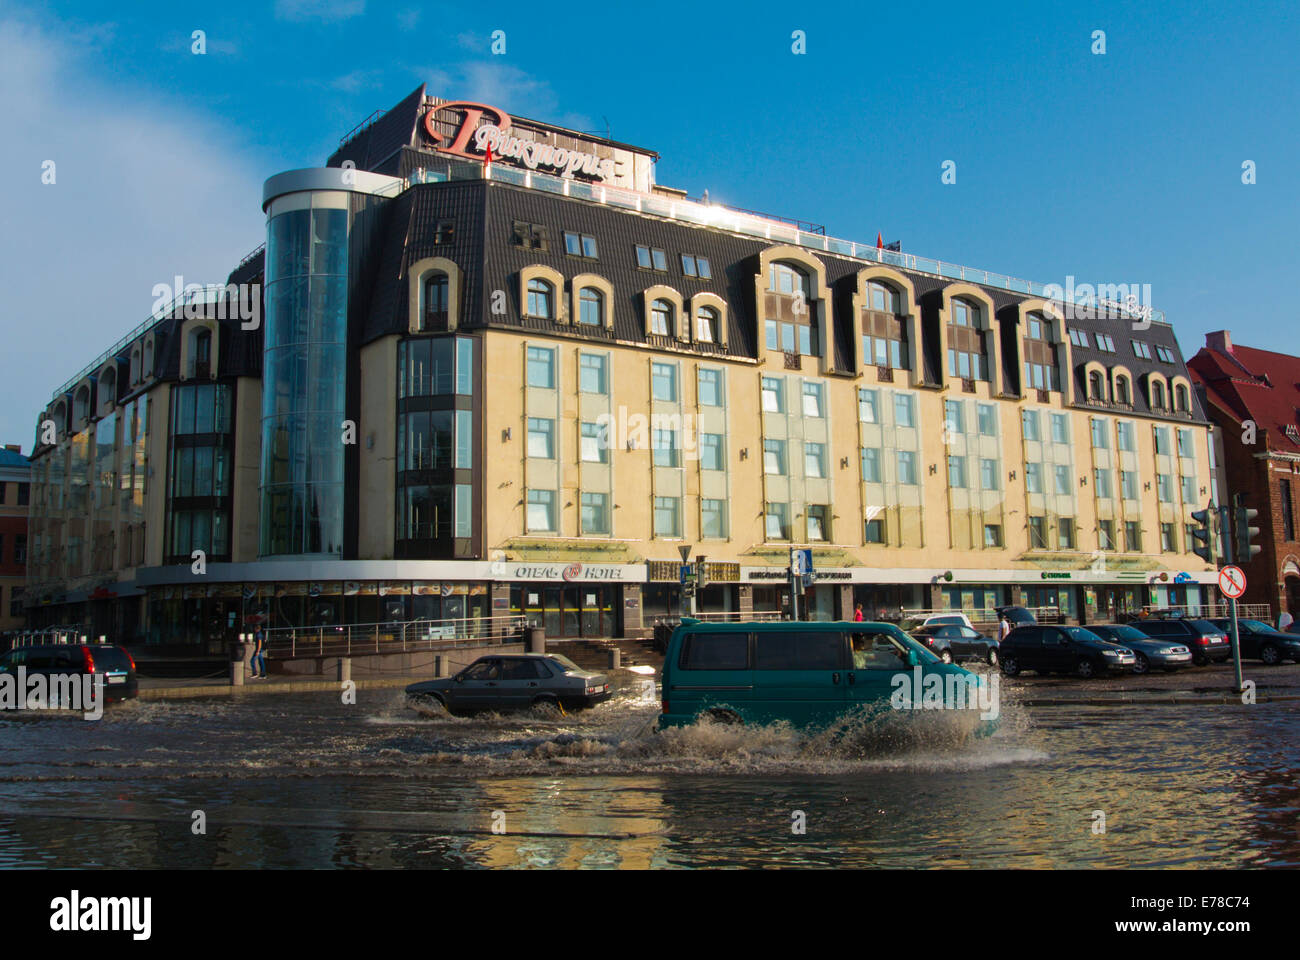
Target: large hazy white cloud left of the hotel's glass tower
145,191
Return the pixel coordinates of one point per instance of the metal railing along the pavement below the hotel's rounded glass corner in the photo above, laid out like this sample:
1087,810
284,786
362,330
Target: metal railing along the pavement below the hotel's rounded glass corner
406,637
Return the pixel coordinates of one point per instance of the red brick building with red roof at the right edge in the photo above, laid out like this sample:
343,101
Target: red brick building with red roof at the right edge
1254,396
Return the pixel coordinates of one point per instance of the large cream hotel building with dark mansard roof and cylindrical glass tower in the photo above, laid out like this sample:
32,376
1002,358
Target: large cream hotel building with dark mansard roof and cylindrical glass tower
521,386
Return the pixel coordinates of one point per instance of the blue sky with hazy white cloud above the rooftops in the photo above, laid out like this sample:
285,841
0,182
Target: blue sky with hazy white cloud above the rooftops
1117,168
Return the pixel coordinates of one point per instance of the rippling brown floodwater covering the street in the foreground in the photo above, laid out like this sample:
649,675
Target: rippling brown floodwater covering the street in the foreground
287,781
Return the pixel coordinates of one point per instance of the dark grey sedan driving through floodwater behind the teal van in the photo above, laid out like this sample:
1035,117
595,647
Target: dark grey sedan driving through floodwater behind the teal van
514,682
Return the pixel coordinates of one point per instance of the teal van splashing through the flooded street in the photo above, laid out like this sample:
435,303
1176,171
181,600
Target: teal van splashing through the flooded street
809,674
